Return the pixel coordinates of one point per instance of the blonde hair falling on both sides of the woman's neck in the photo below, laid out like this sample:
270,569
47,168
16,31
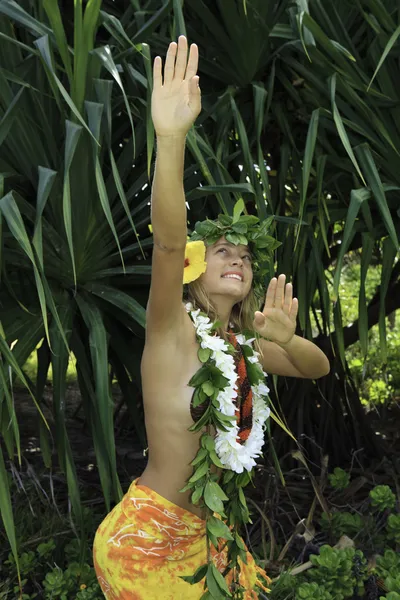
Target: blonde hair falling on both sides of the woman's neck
242,314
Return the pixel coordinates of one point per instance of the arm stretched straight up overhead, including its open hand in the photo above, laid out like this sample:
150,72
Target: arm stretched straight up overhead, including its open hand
175,106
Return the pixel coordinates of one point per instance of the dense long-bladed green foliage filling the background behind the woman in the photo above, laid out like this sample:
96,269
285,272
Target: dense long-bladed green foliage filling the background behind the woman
300,118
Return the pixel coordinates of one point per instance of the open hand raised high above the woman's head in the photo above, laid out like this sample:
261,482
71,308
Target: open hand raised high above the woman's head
176,101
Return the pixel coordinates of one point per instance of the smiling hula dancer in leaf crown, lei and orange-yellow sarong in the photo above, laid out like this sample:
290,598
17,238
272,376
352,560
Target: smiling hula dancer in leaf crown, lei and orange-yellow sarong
156,534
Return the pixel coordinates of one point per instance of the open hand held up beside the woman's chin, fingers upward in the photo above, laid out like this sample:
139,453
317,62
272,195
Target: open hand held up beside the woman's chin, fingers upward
277,321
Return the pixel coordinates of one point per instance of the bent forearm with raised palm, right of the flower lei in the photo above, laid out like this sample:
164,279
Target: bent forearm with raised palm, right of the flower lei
283,352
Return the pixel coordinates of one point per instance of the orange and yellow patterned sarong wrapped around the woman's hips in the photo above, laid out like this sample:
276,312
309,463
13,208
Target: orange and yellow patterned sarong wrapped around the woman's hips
147,542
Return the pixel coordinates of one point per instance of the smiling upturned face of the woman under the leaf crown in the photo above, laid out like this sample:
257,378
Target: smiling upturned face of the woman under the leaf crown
229,271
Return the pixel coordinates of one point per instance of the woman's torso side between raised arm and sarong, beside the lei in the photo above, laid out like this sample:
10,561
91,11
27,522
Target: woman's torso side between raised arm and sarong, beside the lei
167,367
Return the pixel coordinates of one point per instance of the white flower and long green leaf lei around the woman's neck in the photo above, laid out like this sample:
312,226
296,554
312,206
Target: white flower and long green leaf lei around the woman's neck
215,385
